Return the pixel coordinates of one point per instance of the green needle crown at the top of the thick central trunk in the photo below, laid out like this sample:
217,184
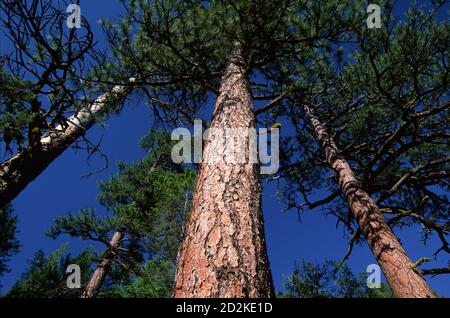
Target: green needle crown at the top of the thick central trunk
181,48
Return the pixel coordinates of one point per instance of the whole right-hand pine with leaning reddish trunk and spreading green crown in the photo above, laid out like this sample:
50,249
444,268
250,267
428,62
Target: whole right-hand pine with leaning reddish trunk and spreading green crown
385,114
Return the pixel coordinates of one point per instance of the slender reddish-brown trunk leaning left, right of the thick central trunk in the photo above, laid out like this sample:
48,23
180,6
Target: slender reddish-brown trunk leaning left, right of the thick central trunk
398,269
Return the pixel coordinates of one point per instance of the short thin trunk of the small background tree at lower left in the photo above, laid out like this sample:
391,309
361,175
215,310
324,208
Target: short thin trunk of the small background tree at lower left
103,267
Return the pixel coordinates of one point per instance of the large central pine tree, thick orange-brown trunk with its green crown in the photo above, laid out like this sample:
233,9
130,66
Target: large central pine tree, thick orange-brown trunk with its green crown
222,47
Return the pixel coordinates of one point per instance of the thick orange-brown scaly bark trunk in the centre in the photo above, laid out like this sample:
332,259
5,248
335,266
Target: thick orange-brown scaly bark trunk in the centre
223,253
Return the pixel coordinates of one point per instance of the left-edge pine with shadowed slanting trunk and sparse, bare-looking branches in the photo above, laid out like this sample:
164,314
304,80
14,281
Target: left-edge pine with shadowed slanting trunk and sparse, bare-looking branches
47,93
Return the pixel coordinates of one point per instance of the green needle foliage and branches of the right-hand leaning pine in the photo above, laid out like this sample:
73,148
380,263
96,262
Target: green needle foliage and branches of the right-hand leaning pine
384,103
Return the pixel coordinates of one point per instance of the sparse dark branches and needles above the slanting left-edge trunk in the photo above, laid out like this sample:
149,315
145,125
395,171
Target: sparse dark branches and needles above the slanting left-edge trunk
46,73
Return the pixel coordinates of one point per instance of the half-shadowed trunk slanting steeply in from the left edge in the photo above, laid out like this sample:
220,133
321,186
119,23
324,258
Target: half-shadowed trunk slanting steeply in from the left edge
18,171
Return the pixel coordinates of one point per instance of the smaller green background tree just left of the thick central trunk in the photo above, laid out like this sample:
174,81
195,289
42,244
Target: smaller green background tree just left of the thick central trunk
149,202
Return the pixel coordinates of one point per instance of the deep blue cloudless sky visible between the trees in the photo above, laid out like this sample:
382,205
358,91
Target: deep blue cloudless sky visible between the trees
61,189
